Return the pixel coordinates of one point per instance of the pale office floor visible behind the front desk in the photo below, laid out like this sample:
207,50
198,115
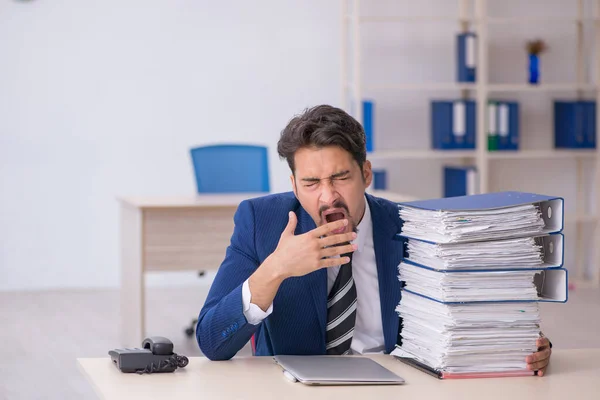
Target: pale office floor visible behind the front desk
42,333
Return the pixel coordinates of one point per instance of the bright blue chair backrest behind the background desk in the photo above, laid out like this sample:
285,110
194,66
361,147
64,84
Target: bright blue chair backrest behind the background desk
231,168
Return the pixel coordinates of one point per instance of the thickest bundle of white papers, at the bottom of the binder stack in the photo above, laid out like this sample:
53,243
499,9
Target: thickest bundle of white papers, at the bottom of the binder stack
469,338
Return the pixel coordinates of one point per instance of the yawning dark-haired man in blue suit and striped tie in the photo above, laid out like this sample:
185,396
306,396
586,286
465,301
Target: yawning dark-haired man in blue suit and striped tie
313,271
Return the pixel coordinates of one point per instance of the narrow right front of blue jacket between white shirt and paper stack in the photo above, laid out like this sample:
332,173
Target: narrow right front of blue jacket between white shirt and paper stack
387,257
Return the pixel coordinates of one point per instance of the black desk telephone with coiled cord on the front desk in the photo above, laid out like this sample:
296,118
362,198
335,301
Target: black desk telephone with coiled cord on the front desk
156,355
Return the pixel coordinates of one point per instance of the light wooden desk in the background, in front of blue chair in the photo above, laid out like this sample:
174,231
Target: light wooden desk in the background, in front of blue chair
174,234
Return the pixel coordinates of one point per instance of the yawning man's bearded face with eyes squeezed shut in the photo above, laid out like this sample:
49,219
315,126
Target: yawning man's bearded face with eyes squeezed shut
330,186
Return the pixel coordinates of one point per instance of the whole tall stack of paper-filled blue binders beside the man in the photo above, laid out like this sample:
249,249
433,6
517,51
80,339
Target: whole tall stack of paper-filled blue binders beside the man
474,270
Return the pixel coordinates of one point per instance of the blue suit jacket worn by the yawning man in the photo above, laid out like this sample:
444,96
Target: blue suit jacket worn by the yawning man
297,324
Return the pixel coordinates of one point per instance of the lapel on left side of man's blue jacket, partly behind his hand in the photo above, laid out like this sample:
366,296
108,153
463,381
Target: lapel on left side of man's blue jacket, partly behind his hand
316,281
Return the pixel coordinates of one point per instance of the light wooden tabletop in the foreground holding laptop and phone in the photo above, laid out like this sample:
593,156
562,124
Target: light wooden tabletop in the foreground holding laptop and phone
572,374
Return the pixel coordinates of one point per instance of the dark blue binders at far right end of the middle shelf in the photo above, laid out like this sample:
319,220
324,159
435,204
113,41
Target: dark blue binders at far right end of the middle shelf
575,124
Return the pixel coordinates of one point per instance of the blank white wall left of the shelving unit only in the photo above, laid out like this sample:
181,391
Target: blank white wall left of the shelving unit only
104,98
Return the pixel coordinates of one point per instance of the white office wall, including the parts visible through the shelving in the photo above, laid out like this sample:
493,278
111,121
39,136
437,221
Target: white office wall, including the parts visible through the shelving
104,98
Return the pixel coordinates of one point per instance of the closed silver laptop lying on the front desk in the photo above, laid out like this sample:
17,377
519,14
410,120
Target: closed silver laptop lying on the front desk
336,370
